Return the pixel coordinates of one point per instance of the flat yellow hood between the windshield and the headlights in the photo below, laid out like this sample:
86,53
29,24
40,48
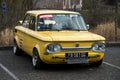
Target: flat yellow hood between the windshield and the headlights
71,36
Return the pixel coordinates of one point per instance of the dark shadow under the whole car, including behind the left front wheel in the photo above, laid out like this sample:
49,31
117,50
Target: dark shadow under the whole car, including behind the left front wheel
54,67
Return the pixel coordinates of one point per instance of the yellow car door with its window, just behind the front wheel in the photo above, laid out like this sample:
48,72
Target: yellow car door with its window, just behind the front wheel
29,38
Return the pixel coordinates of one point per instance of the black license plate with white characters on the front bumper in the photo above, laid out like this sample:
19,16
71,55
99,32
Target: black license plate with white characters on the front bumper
76,55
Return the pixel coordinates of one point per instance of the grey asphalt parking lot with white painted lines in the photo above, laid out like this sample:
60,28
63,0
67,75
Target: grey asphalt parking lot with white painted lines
20,68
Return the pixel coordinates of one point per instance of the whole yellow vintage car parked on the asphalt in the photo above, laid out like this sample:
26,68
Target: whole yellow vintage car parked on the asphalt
58,37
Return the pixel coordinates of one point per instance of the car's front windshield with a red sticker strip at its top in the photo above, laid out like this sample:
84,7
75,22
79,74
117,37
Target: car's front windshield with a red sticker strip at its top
60,22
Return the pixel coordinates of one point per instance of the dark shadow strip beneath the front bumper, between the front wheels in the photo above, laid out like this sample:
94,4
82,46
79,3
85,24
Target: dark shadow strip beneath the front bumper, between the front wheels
66,67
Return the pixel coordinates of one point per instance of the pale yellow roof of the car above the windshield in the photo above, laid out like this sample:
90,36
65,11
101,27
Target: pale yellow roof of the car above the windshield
38,12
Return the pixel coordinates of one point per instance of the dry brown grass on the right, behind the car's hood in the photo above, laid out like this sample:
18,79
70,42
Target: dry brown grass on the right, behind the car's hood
107,30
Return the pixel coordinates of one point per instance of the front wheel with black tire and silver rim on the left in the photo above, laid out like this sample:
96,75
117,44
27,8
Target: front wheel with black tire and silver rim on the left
36,61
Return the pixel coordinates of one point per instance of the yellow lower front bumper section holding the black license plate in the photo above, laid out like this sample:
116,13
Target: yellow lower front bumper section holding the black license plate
60,58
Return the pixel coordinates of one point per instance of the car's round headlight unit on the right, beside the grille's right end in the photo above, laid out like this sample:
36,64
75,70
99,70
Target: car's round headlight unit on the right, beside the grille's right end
98,47
